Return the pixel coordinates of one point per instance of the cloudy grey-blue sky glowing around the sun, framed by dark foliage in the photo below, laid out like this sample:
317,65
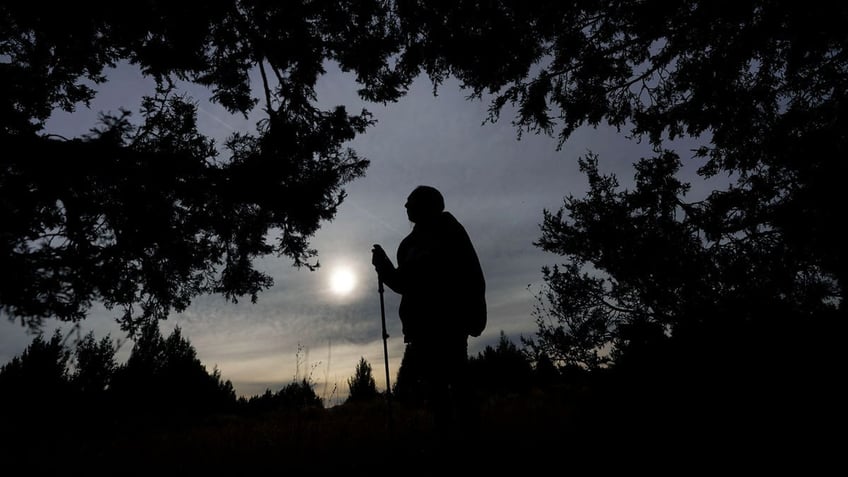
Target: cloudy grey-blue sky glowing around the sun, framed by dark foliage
496,185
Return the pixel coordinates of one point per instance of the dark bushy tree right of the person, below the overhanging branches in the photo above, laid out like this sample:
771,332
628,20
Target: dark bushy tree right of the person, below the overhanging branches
694,335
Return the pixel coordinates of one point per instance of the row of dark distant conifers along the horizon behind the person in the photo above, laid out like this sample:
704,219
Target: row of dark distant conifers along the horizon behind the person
163,377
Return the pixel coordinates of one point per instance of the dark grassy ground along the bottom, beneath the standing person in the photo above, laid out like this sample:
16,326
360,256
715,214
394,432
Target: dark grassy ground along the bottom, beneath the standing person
535,434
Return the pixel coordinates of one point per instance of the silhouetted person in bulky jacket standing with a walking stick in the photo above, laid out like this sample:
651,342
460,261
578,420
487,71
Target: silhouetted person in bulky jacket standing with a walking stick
442,288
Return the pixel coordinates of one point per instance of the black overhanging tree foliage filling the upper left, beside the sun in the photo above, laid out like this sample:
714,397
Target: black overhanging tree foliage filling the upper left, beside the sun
144,217
